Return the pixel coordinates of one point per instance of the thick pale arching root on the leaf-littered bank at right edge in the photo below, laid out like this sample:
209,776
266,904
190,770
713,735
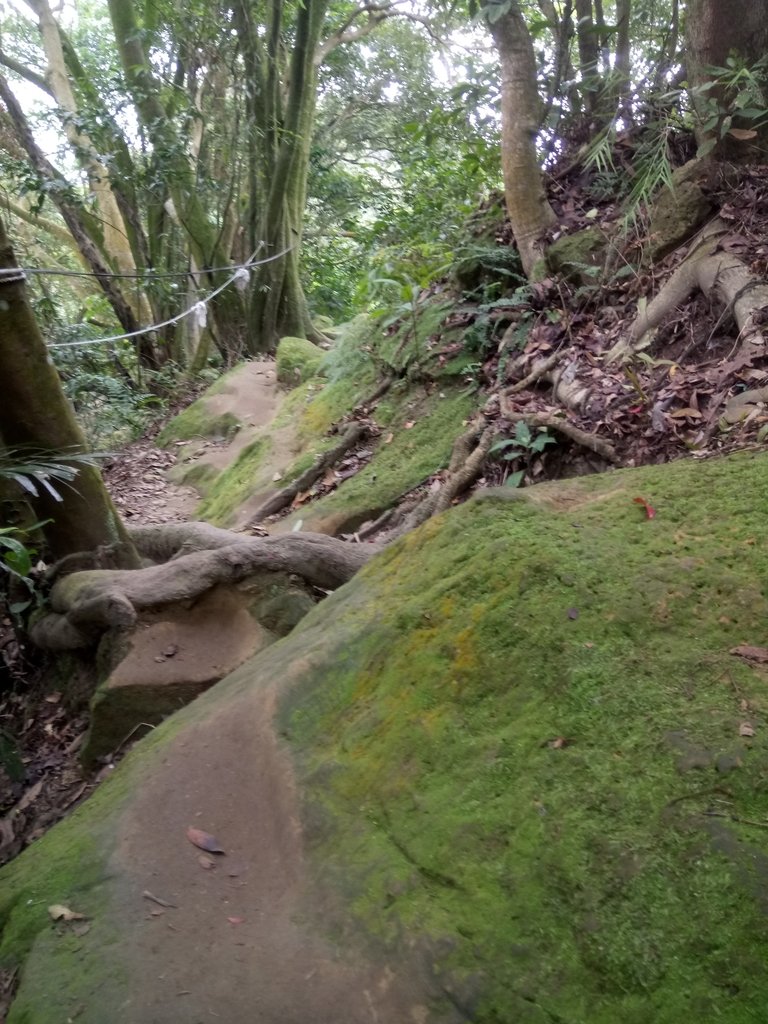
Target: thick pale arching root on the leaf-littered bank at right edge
713,272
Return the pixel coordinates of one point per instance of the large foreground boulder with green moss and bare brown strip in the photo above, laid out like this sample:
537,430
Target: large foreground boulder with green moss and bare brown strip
514,772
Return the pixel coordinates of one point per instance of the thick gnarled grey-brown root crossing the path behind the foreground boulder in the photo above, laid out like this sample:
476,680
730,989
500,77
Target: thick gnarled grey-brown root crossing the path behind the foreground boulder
87,605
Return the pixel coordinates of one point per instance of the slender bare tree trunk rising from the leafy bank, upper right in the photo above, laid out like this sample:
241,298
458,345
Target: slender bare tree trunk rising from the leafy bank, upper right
529,210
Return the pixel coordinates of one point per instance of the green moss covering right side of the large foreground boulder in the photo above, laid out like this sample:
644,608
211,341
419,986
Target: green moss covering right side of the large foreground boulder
528,751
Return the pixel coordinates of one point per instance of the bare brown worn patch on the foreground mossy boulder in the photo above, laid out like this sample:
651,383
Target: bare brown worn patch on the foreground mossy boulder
238,946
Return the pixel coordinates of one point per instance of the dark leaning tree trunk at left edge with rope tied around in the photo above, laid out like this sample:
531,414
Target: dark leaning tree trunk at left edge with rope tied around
35,412
